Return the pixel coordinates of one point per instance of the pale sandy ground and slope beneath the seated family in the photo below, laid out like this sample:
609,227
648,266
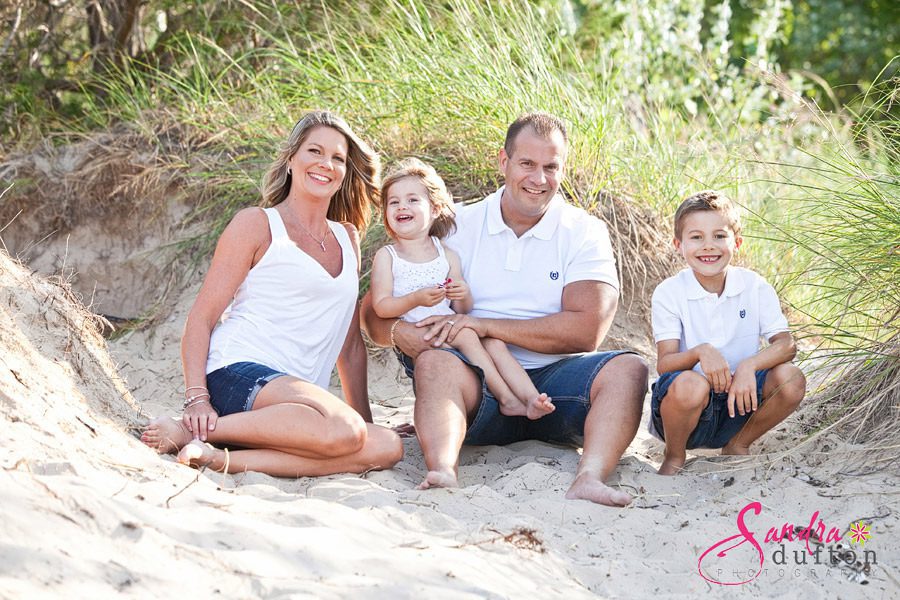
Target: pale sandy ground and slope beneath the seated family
90,512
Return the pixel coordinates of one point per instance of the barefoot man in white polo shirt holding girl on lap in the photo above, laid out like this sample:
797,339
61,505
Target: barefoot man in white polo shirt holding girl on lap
543,277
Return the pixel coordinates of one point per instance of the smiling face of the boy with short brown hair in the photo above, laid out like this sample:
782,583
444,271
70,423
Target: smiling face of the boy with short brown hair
708,244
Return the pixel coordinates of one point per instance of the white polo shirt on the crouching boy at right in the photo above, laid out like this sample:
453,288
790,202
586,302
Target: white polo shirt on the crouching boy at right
733,323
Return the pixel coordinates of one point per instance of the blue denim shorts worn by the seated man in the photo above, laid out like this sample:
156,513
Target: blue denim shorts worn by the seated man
567,382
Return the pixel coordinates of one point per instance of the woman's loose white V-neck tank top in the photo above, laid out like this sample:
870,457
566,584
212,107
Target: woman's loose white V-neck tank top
289,313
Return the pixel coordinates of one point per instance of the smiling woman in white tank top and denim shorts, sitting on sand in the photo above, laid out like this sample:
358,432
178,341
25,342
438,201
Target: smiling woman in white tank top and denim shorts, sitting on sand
284,279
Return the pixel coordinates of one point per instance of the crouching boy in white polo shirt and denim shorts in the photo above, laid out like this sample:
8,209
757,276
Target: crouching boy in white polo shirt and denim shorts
707,323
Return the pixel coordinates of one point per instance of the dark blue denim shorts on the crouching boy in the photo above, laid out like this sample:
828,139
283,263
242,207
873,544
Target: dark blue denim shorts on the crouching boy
715,428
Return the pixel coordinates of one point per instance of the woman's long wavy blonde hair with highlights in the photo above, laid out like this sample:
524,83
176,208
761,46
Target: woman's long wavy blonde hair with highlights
358,194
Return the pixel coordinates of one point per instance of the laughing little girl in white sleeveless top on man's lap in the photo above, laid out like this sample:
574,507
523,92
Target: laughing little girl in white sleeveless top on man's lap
418,276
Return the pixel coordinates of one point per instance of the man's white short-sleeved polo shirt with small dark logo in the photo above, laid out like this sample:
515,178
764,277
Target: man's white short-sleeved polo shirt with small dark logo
523,277
